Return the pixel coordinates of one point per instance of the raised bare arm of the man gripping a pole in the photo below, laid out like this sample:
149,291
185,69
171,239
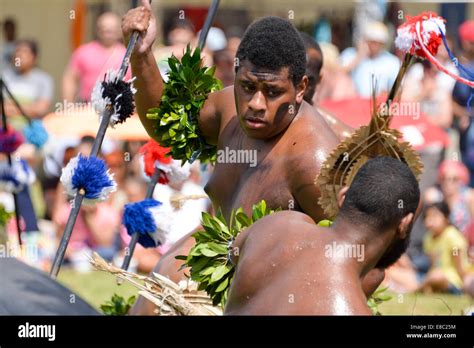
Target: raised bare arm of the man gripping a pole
149,83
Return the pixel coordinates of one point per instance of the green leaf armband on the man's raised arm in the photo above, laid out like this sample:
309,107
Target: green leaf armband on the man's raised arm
184,95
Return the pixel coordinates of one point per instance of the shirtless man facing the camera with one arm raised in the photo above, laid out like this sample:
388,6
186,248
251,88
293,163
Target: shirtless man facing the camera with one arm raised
264,112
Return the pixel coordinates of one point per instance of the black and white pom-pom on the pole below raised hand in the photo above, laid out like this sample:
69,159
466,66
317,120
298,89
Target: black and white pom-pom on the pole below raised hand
114,93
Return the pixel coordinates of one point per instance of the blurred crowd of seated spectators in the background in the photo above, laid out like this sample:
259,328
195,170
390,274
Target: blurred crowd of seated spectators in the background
356,44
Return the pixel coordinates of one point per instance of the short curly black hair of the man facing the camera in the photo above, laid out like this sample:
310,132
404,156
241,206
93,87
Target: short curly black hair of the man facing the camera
273,43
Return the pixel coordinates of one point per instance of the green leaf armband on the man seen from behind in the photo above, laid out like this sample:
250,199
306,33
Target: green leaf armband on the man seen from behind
209,258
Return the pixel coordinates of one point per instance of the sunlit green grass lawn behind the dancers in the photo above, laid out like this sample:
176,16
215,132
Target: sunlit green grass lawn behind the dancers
98,287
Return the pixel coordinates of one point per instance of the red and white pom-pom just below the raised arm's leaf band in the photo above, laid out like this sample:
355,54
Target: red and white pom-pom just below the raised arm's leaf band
171,171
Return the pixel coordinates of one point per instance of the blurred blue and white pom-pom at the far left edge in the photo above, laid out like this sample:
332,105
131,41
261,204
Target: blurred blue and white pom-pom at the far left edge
15,177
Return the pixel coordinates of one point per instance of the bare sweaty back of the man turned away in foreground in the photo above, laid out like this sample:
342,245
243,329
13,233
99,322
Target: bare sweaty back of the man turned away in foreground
283,269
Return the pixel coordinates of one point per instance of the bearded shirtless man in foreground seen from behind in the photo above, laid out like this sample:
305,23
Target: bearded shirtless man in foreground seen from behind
287,265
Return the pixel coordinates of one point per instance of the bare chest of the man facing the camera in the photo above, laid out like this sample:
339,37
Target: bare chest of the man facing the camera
247,172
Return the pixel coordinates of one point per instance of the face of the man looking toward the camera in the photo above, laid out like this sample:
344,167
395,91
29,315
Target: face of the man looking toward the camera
266,101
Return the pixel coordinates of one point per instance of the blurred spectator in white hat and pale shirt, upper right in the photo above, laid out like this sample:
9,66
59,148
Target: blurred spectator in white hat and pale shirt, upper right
371,59
